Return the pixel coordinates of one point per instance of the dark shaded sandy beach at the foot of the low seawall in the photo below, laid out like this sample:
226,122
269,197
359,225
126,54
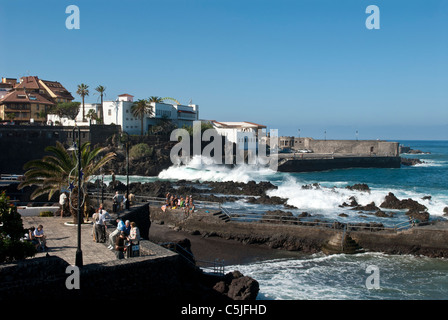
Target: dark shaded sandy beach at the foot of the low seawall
210,248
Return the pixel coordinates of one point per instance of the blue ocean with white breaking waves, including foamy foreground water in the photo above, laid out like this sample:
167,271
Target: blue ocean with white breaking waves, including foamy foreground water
340,277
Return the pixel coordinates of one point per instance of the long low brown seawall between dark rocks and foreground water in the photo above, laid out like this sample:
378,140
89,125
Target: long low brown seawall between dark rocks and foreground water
430,240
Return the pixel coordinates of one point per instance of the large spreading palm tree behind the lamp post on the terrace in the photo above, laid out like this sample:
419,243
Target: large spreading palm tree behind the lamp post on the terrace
59,170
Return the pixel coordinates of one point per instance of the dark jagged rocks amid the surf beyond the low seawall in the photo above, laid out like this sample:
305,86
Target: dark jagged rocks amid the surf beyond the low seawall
255,193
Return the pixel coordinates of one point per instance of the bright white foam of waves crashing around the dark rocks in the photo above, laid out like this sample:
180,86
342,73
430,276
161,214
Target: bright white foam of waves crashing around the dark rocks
325,200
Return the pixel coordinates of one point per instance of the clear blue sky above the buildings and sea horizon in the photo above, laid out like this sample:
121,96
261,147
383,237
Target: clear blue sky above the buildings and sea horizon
288,64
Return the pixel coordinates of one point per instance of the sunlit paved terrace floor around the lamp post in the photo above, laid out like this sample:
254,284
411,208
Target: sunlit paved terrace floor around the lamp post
62,240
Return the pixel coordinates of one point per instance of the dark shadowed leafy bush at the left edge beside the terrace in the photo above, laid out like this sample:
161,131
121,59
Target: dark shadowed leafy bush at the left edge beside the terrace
11,233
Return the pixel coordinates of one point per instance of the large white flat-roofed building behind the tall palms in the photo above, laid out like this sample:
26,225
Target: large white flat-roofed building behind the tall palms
119,112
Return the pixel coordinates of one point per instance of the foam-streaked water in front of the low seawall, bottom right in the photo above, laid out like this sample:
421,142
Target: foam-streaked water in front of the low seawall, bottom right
342,276
